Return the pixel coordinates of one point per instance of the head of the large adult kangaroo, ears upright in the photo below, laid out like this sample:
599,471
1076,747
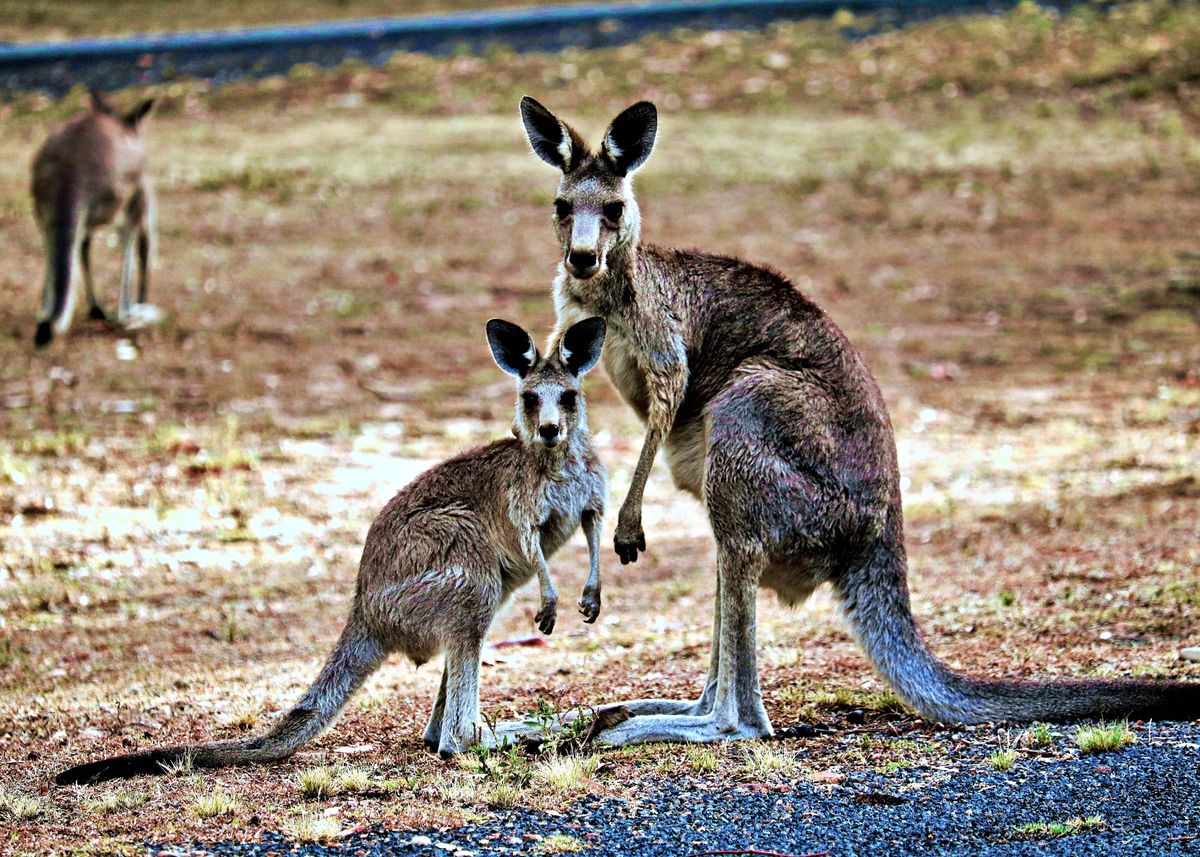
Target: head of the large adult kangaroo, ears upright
595,211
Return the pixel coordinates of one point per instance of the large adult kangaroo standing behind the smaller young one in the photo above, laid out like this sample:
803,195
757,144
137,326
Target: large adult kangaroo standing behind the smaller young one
770,416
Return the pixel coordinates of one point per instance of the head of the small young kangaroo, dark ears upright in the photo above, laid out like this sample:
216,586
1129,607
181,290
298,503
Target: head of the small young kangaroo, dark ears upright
550,403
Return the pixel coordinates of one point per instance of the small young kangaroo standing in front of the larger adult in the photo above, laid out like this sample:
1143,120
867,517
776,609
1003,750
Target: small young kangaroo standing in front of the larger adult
445,555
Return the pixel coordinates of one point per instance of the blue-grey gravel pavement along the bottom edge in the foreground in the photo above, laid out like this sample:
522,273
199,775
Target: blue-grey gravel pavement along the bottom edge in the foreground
1149,796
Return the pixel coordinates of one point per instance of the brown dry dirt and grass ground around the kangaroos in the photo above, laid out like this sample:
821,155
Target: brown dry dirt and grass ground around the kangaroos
182,513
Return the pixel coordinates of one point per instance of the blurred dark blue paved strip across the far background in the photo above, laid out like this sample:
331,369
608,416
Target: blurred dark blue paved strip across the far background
227,56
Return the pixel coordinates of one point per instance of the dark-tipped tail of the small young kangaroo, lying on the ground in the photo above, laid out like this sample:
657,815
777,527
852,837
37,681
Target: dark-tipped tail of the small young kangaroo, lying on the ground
356,657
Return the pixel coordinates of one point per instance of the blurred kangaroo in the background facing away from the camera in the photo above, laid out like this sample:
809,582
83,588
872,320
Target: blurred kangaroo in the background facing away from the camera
88,175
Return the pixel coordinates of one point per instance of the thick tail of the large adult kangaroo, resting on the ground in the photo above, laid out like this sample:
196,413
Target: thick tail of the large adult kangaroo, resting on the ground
875,600
